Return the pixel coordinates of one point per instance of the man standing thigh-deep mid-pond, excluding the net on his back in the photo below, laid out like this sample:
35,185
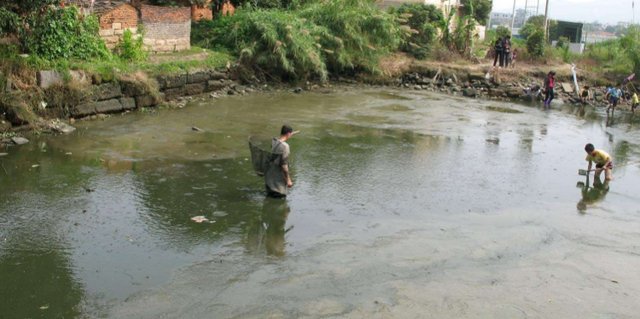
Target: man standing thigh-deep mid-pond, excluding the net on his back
277,177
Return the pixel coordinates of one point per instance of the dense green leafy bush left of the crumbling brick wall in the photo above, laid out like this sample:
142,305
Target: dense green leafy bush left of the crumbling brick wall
61,33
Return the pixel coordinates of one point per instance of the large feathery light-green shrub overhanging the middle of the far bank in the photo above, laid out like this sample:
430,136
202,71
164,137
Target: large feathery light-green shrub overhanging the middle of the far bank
314,39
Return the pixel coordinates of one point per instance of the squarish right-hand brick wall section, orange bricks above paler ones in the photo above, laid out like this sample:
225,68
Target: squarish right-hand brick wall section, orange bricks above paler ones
167,29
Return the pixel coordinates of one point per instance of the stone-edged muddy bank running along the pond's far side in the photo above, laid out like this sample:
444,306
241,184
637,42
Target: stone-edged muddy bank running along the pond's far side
80,96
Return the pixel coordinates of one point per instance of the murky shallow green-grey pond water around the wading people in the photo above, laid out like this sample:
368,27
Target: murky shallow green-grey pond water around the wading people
405,205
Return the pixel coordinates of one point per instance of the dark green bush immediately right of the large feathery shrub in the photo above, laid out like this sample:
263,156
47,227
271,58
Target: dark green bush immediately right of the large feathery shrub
421,18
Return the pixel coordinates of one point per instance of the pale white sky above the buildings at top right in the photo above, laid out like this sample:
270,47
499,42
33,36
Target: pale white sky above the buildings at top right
604,11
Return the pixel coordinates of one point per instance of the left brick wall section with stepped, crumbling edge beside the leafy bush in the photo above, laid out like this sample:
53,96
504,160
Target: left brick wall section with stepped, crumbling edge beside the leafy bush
115,21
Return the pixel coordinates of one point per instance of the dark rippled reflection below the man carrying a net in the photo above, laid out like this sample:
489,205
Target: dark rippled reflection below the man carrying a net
271,230
